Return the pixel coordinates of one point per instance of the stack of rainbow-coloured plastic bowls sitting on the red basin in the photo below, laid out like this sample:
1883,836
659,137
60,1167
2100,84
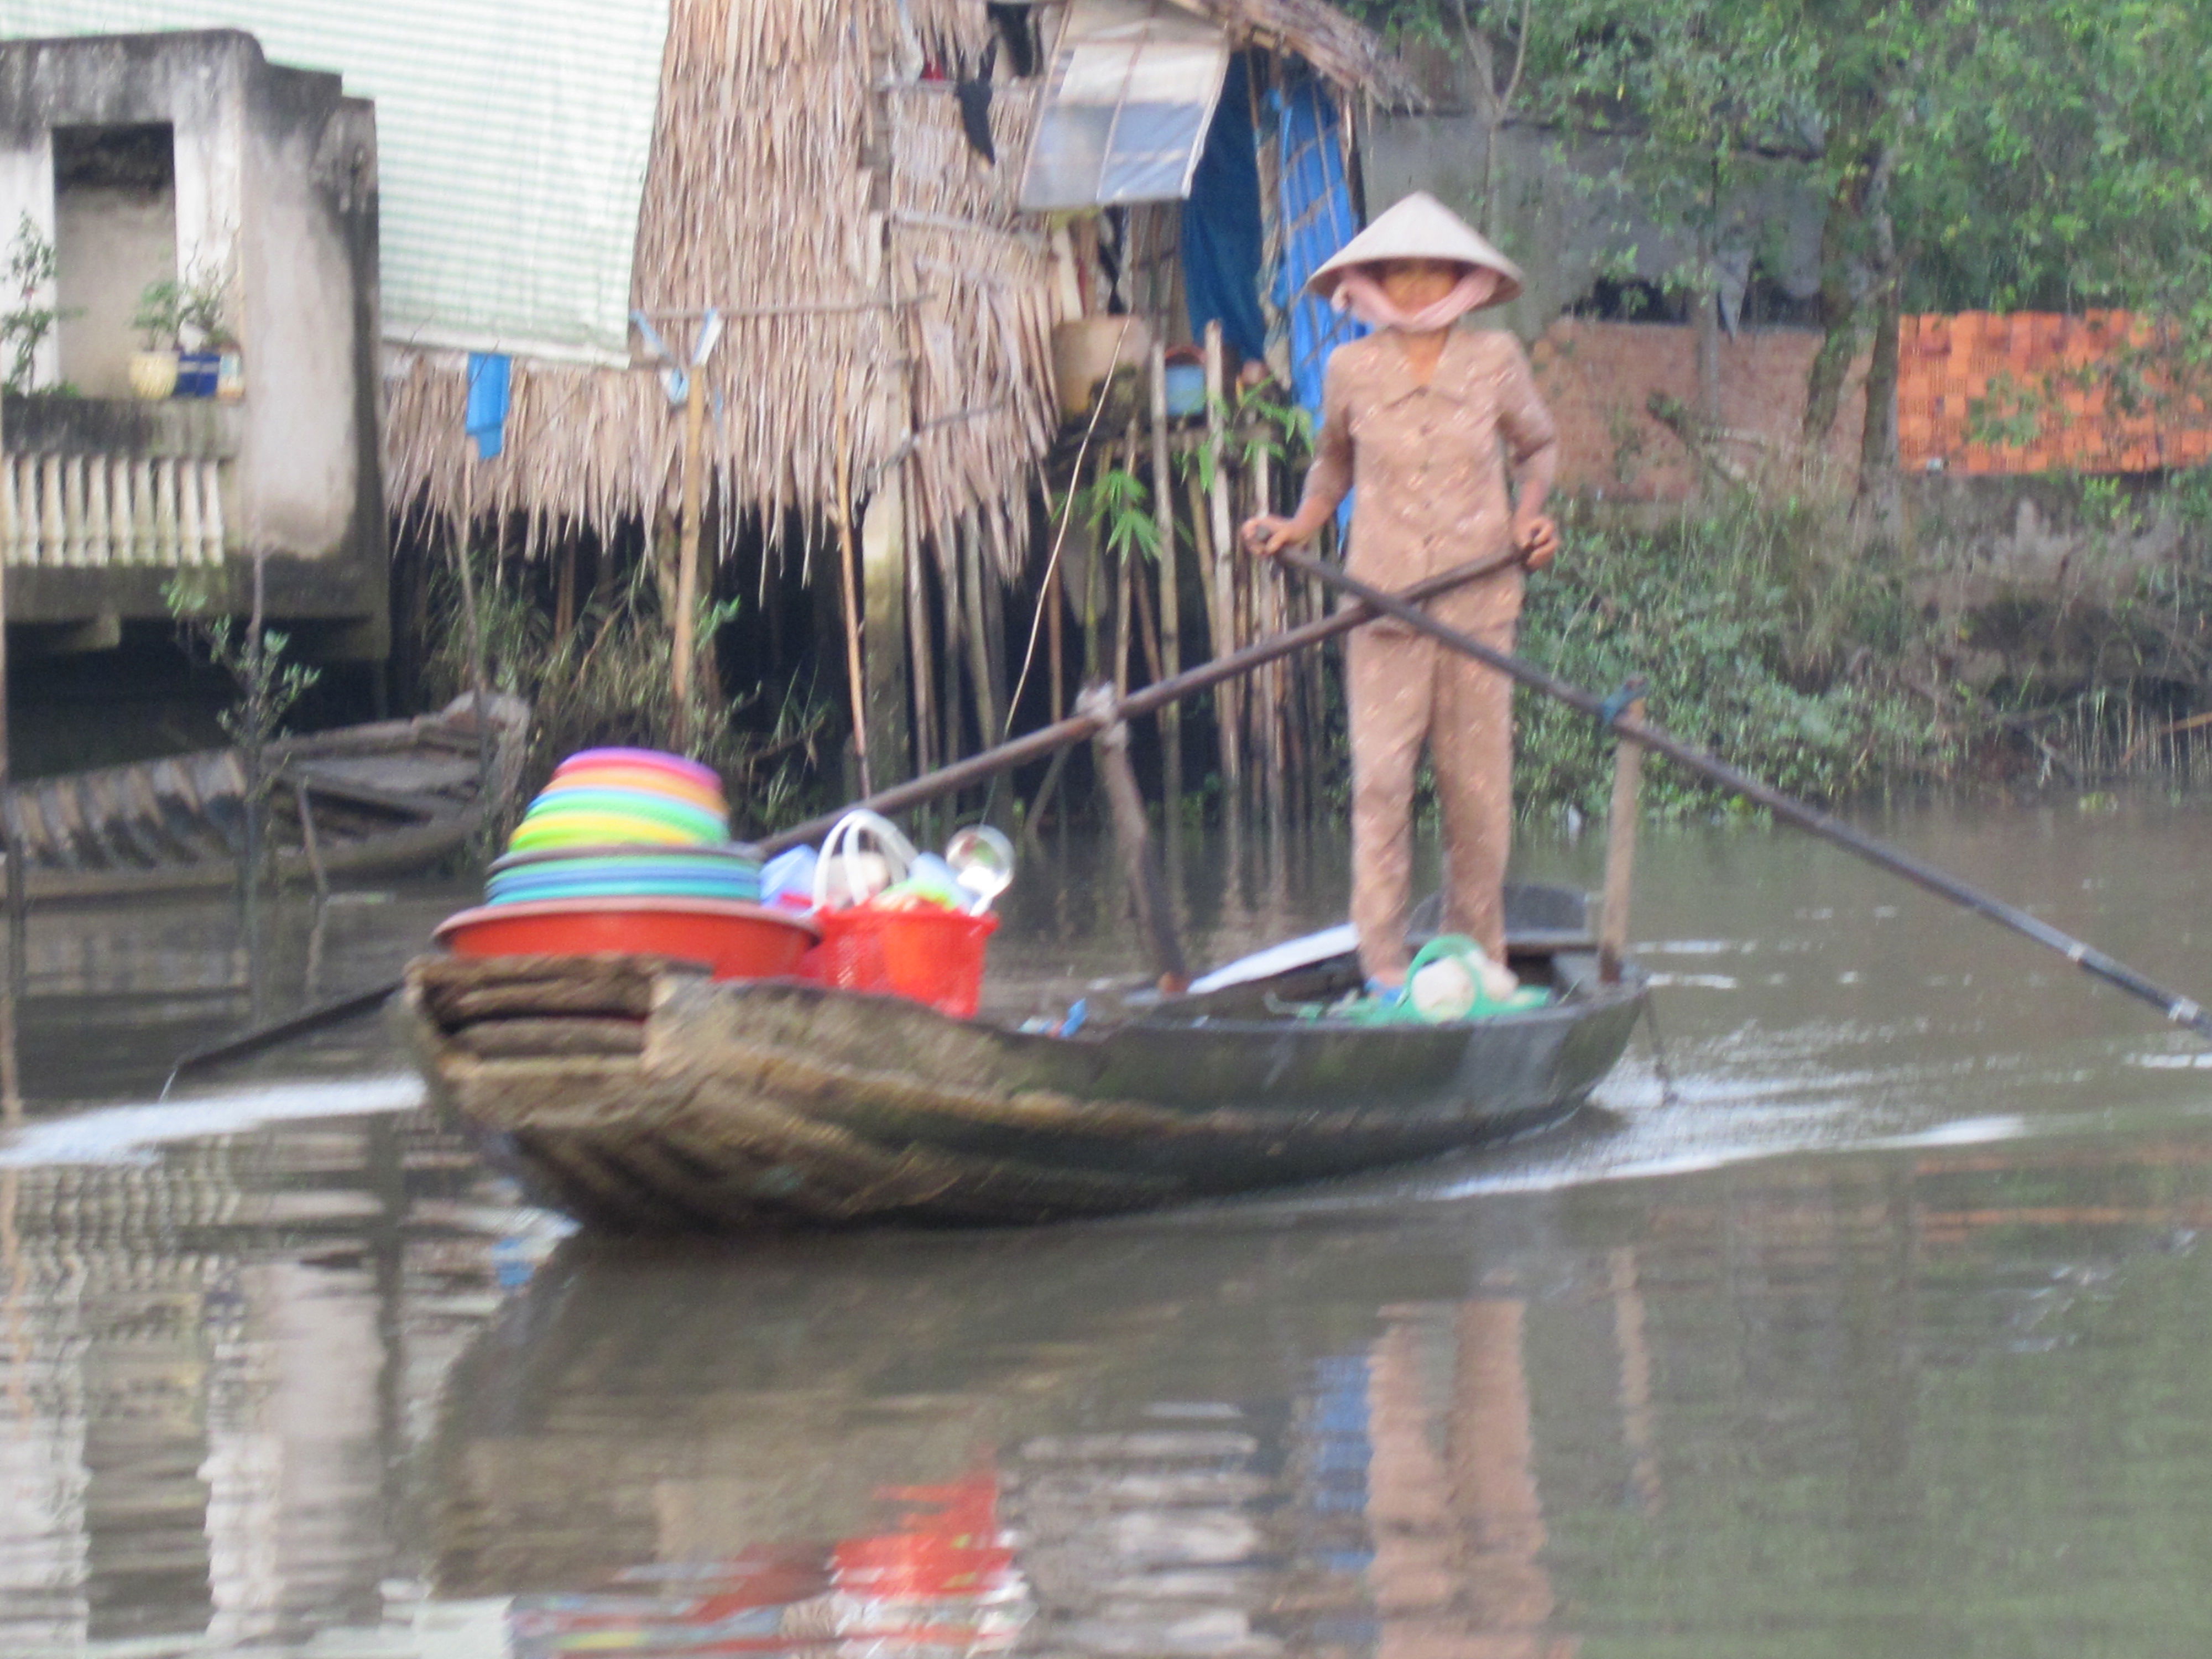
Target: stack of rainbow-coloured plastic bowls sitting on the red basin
627,824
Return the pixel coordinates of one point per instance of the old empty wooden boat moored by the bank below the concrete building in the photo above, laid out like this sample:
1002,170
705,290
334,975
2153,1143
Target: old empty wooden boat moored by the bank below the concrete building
357,802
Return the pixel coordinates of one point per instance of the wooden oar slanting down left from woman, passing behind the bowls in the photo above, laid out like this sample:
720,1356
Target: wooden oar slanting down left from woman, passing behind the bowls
930,786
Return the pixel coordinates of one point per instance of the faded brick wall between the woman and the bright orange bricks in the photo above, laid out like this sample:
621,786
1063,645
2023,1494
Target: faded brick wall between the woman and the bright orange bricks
1600,377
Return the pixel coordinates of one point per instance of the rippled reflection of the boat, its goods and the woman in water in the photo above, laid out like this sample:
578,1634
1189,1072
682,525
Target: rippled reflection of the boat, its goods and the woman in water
643,1448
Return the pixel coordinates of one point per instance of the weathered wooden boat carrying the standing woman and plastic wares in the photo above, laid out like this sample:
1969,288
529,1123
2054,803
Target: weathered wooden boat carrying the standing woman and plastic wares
643,1096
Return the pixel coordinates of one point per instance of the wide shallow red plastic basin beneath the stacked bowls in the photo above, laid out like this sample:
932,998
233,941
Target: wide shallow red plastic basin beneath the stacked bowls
729,939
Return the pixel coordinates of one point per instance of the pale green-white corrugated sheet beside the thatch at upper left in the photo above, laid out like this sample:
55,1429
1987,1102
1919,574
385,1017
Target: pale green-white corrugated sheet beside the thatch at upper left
512,147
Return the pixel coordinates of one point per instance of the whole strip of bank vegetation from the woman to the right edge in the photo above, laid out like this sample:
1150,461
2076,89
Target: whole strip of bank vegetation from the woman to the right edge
1804,651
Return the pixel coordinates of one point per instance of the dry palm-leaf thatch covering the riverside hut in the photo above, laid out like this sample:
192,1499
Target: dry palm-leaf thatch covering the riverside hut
760,200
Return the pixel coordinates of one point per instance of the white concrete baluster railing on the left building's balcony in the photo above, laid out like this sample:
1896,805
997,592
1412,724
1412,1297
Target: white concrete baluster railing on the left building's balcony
92,483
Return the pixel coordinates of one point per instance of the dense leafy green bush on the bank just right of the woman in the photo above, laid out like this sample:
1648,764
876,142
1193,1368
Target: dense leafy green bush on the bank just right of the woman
1760,645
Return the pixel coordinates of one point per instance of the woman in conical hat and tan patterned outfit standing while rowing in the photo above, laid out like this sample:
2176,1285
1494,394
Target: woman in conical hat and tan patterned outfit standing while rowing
1421,419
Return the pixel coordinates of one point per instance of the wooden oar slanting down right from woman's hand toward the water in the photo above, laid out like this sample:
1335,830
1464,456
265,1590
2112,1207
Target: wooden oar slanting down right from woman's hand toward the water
2180,1010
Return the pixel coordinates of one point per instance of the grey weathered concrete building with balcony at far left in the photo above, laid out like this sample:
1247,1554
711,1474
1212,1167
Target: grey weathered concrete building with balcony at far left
189,158
